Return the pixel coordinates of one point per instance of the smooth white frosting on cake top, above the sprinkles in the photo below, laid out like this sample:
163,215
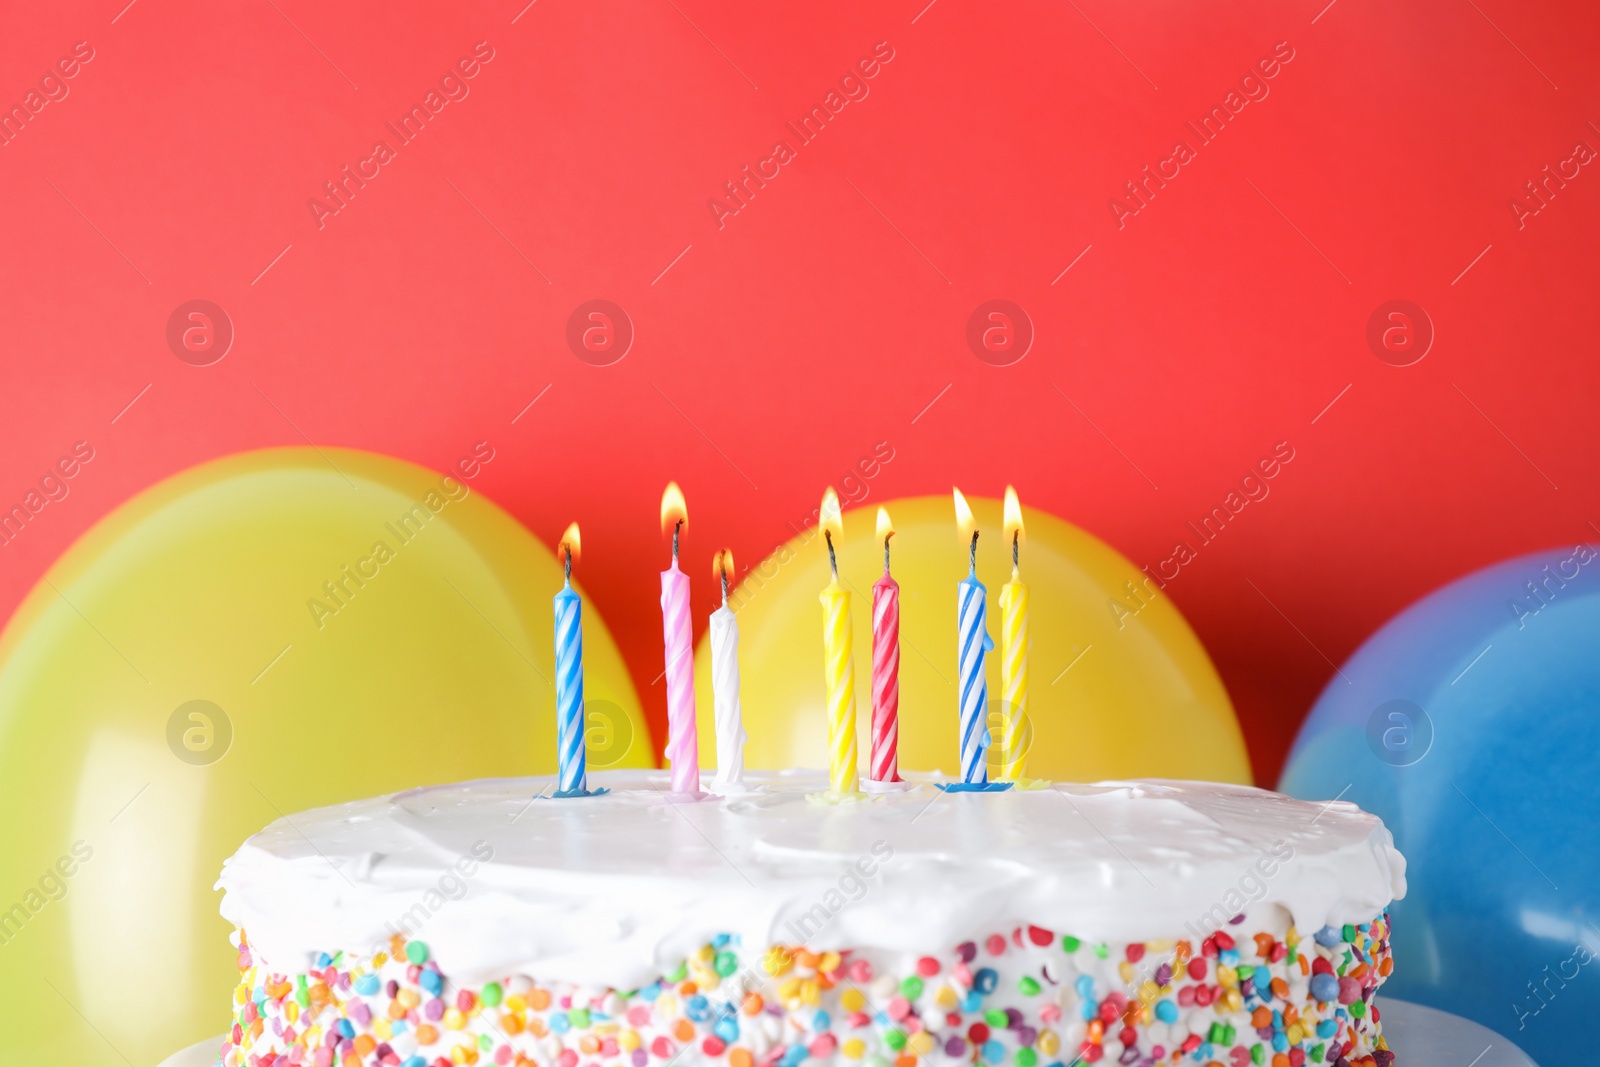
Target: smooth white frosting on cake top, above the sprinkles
617,890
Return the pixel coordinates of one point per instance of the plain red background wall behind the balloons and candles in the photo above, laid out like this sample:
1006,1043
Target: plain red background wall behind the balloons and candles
778,351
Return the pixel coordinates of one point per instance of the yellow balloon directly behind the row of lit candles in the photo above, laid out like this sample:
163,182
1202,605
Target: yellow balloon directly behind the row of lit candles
1113,693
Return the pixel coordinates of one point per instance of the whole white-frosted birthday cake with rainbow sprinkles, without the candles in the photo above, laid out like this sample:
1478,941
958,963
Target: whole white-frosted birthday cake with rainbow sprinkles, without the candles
1143,922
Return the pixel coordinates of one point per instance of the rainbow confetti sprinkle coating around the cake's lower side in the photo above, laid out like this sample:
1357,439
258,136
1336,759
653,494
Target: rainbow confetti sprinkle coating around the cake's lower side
1028,997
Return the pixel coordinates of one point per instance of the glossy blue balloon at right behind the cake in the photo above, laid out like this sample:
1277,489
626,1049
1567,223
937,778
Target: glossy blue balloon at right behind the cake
1471,725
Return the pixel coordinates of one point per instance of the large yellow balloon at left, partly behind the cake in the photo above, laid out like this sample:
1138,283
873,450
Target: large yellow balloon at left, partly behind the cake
258,636
